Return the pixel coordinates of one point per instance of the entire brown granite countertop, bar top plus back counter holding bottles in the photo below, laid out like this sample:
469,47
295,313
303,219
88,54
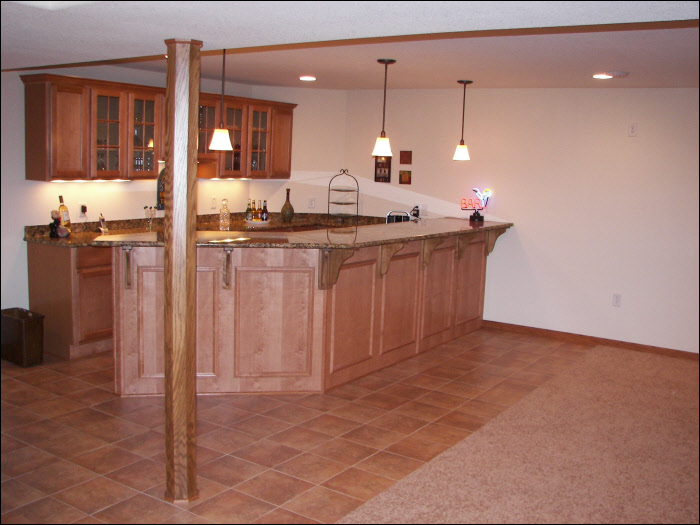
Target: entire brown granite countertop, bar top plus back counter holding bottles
276,234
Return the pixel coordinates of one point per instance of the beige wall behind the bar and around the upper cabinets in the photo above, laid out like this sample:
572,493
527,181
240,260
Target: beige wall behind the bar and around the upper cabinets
596,212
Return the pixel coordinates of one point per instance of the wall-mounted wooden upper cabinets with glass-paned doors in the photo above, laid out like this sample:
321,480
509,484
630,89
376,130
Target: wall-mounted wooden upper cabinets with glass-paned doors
80,129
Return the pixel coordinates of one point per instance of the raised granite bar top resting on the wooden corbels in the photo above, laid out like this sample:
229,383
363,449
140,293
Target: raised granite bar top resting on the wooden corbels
347,237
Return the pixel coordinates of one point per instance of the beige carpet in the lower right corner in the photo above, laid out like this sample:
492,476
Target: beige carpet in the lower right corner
613,439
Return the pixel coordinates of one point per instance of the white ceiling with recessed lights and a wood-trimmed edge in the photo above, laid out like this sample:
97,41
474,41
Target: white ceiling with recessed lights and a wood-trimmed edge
495,44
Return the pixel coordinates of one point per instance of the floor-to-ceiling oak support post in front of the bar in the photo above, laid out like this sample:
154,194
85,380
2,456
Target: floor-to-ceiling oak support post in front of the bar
180,268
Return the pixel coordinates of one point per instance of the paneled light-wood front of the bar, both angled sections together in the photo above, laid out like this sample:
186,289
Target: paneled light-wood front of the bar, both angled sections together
264,324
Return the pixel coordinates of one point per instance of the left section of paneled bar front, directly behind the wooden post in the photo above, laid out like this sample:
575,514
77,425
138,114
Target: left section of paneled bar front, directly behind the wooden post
255,321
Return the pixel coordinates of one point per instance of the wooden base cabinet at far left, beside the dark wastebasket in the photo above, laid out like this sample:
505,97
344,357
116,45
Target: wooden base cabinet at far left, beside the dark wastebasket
72,288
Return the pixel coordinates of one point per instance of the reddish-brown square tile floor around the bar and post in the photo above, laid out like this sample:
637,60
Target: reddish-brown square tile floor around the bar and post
73,452
